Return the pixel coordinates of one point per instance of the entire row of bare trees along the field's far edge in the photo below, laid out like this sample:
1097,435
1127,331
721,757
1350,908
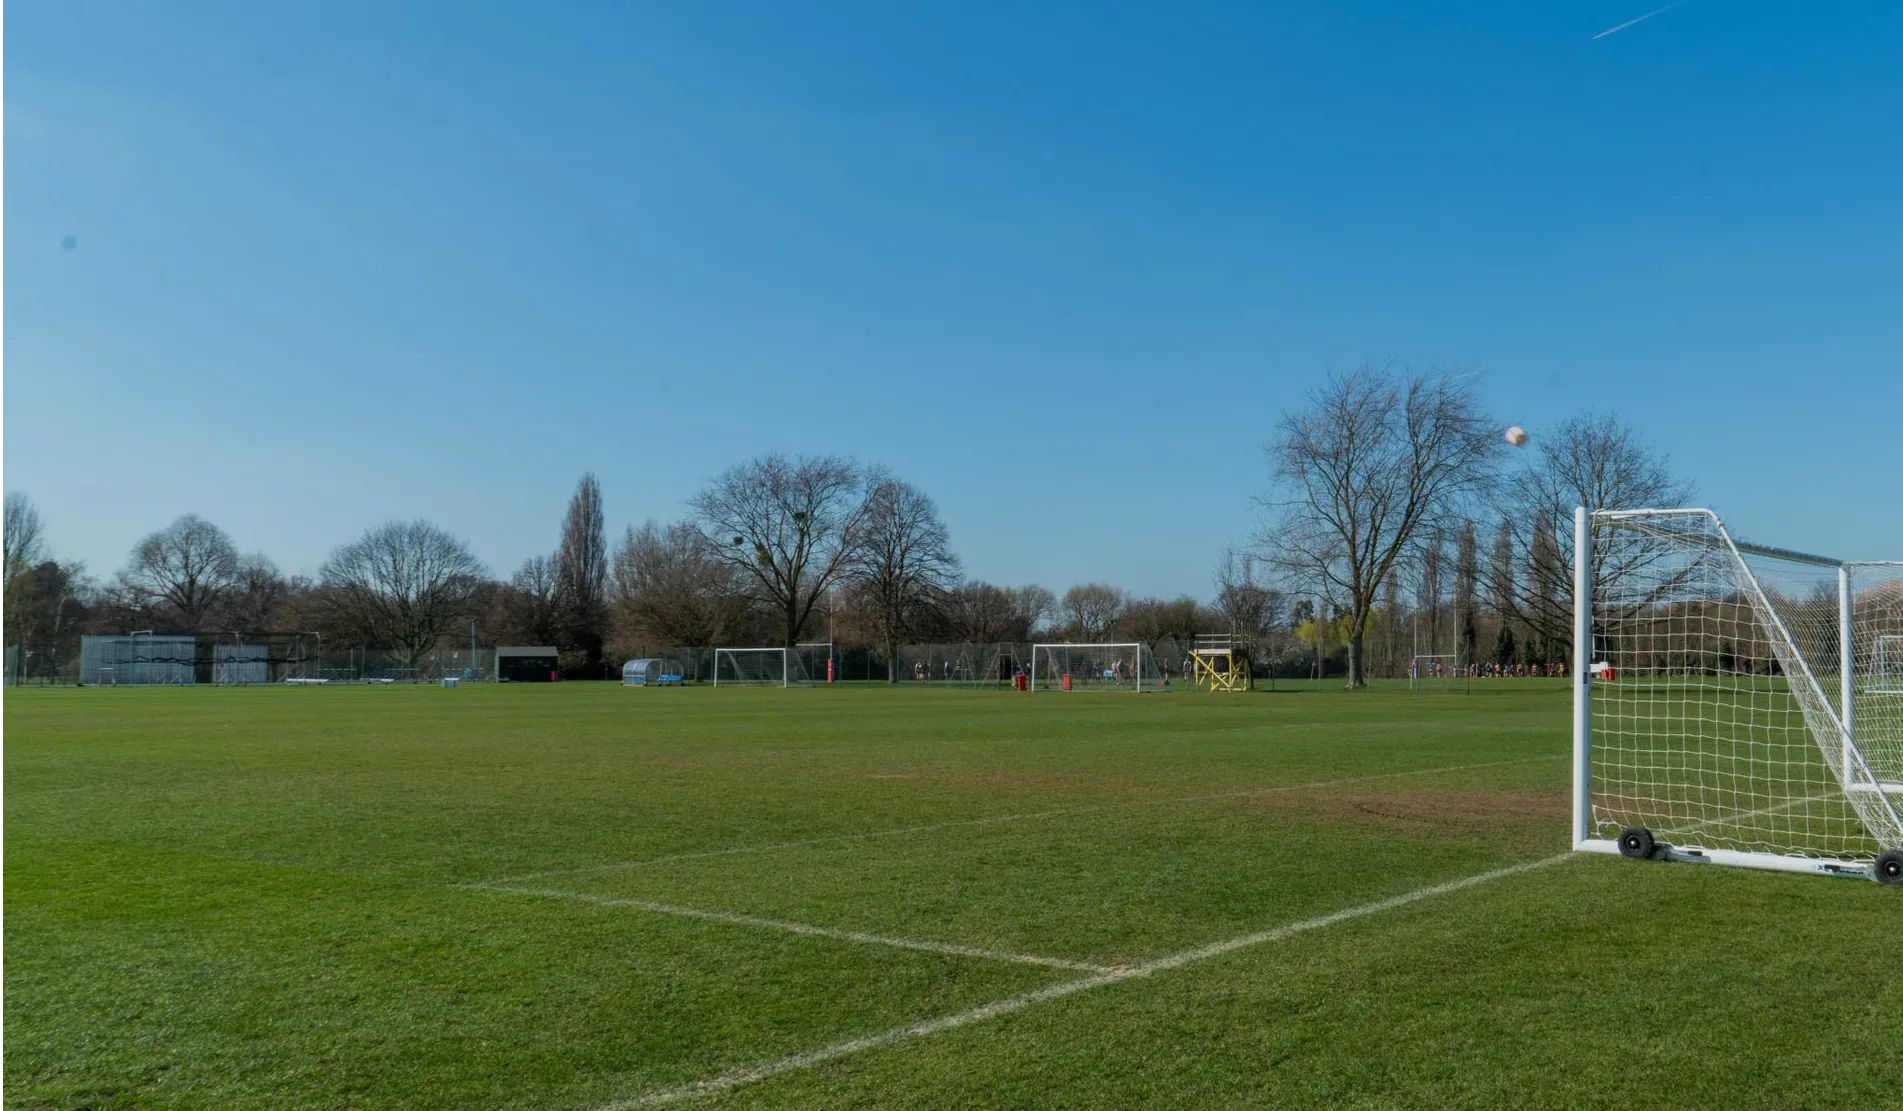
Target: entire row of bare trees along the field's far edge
1386,490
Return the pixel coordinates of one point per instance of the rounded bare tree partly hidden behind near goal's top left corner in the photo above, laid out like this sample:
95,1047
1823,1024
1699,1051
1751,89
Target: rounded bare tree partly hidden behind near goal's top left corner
1592,461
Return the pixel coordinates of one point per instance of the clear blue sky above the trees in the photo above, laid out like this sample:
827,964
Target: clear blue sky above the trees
1063,267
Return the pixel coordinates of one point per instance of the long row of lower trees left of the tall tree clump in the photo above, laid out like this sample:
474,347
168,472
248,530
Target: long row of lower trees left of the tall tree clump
775,551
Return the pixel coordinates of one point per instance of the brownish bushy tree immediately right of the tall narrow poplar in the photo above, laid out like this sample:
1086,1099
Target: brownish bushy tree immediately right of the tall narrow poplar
671,589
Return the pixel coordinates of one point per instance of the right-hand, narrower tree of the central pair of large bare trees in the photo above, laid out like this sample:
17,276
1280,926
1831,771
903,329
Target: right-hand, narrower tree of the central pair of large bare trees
905,562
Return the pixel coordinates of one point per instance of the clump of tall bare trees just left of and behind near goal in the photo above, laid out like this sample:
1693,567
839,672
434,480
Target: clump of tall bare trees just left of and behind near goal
1388,473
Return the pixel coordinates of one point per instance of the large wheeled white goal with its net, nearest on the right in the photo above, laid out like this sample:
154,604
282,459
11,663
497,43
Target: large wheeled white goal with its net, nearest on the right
1731,703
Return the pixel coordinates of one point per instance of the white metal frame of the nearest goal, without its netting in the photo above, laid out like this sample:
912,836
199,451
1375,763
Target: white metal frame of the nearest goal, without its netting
1849,770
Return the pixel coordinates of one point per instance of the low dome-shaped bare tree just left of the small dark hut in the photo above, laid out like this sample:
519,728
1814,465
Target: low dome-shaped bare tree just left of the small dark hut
402,585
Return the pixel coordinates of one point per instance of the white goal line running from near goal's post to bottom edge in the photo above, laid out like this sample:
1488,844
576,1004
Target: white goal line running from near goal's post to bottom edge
764,1070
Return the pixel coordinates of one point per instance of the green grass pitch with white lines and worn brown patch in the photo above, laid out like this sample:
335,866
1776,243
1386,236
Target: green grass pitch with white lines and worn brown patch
579,897
